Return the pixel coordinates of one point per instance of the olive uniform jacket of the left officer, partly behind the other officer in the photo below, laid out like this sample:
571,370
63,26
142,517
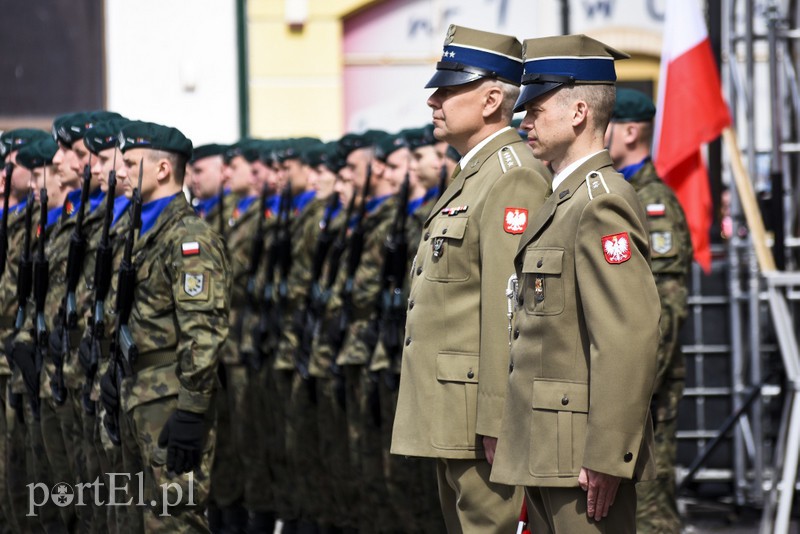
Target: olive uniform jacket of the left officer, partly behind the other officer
455,358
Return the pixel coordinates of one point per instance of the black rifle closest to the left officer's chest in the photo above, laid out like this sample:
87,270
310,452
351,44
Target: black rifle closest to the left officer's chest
392,308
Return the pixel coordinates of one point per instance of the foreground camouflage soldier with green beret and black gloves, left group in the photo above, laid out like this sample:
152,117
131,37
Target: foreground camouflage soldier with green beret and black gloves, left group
178,324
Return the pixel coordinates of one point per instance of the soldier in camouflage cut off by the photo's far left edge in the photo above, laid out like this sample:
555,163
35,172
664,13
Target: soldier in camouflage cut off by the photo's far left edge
18,459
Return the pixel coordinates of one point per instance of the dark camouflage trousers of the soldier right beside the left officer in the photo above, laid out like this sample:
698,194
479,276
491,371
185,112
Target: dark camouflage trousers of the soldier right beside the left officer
410,482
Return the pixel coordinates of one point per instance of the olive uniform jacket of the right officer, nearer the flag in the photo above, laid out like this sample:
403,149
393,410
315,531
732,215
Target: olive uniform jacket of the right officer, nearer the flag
583,359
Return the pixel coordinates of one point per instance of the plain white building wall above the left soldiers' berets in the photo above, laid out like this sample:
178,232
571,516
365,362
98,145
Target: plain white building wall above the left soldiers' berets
174,62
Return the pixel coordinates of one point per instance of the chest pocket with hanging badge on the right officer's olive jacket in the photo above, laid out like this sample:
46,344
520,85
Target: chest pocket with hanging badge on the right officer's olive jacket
543,287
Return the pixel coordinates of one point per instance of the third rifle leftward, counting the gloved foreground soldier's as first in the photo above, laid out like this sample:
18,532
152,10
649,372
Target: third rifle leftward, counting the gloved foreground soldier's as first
69,308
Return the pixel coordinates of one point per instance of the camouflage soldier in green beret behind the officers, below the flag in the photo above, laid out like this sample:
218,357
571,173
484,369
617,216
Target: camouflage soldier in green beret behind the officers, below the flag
628,139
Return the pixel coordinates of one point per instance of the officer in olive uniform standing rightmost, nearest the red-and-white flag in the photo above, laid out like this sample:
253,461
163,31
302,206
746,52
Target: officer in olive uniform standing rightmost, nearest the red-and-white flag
576,427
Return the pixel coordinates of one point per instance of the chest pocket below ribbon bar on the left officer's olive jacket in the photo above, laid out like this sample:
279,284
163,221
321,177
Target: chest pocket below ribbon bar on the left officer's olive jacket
448,253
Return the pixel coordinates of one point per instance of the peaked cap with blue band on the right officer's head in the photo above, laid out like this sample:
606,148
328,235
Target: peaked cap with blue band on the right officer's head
553,62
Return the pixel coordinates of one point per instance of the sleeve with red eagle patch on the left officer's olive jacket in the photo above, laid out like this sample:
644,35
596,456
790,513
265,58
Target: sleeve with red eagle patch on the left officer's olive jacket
520,191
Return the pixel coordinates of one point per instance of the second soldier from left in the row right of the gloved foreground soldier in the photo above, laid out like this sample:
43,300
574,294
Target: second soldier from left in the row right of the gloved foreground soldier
227,510
